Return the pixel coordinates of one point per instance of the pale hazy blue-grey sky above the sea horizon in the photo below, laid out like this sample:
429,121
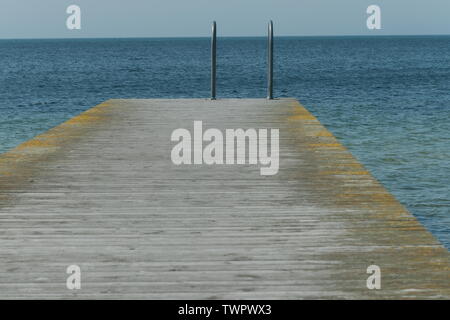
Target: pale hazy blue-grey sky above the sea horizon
173,18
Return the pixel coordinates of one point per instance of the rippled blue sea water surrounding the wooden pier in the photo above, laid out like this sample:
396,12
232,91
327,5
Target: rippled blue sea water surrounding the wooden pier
386,98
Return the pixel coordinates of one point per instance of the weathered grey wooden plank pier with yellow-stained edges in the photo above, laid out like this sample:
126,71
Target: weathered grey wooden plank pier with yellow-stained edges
101,191
